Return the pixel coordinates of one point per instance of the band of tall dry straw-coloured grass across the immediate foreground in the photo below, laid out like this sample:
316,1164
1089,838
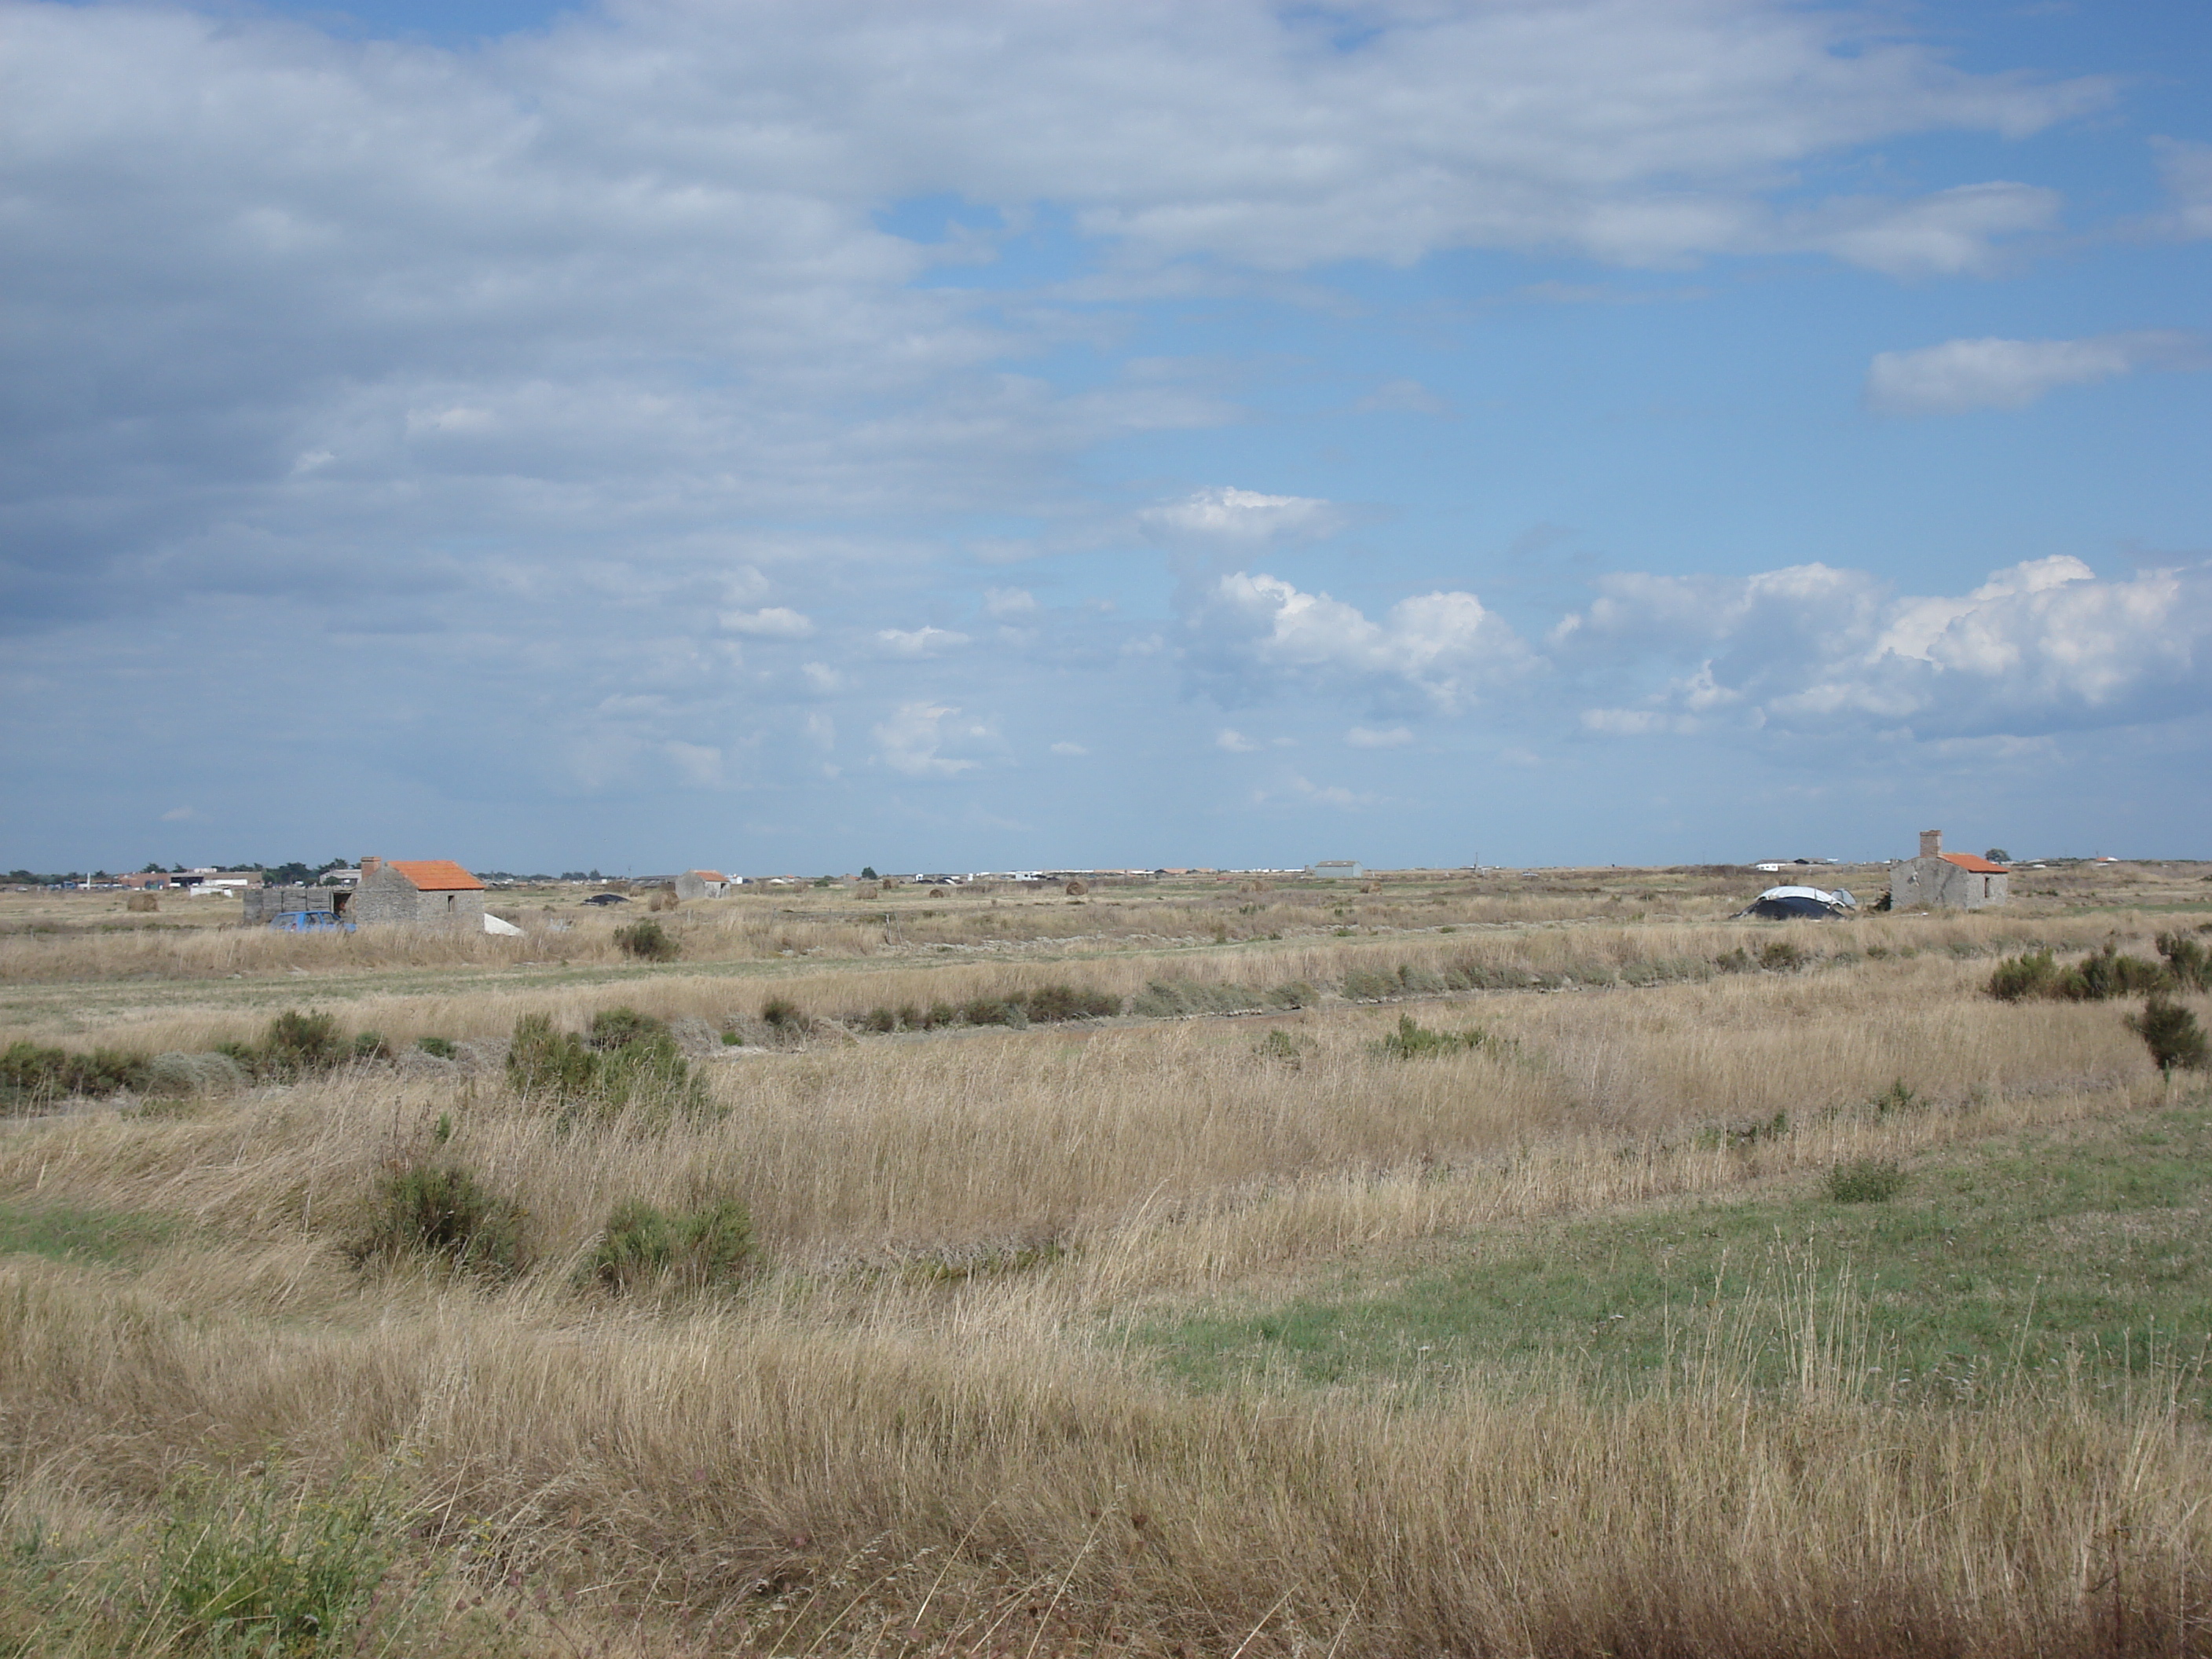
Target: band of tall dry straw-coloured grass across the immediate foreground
764,1485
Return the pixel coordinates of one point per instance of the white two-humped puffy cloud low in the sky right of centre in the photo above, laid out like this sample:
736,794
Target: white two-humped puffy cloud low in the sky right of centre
1443,645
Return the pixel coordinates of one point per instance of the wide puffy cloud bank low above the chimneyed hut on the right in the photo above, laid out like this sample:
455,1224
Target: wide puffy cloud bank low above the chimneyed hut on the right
2034,649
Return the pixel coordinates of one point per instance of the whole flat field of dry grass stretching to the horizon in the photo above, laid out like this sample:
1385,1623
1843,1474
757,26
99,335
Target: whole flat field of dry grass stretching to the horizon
1527,1264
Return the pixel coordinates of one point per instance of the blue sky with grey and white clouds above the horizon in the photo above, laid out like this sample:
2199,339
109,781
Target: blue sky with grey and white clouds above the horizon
1039,435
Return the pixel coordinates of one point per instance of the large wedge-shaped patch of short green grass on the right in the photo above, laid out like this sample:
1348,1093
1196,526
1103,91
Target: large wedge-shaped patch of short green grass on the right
2007,1255
